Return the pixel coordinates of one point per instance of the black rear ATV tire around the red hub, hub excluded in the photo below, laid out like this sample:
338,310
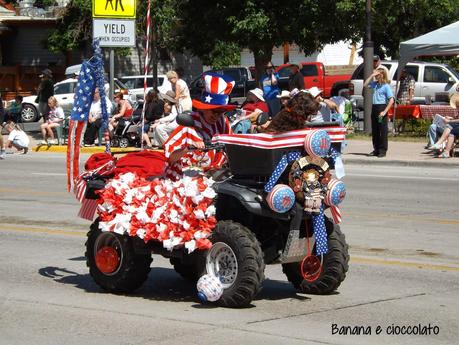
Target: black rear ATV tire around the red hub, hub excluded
132,270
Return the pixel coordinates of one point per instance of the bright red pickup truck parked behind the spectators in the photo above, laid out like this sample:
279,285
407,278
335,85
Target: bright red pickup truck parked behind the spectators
315,75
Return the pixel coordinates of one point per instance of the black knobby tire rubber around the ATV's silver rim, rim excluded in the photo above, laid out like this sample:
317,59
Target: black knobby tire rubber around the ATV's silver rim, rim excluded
250,264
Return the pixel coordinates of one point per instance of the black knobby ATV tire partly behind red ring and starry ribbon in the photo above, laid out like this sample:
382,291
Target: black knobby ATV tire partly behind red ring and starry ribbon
335,266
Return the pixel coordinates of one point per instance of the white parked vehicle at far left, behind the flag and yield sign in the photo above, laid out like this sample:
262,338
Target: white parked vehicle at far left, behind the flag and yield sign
64,91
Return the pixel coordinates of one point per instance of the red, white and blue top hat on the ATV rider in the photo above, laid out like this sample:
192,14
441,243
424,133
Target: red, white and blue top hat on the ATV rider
216,94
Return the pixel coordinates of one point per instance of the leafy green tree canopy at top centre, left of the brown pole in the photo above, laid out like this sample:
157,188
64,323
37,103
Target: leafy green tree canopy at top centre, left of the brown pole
260,26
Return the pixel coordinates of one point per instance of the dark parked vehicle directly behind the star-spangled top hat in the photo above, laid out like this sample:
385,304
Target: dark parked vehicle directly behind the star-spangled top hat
241,75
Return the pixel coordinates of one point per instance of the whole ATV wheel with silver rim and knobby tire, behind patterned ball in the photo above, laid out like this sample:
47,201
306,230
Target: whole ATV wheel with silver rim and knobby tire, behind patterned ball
236,259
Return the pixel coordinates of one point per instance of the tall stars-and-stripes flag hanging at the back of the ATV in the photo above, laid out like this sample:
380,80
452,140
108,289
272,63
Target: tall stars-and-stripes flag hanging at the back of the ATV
84,93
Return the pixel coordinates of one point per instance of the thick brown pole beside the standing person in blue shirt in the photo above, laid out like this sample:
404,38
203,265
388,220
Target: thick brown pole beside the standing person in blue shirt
368,51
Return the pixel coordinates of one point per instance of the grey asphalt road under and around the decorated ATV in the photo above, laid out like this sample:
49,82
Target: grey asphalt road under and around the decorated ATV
401,224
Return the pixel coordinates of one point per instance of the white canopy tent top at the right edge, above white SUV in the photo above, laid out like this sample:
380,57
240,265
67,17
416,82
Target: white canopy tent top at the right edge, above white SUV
443,41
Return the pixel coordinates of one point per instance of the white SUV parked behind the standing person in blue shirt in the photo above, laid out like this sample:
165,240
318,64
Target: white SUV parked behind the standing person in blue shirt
431,79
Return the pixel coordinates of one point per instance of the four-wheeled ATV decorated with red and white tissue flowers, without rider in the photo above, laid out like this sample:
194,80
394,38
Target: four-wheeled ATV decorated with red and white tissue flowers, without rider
267,206
